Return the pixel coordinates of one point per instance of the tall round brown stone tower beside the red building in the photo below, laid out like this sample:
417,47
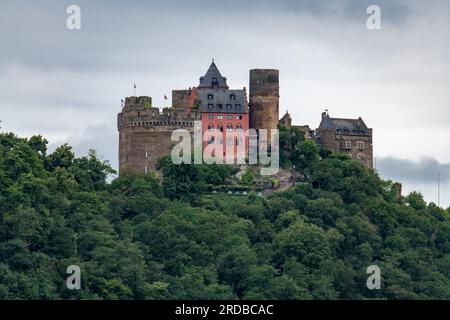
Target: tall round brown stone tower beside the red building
264,98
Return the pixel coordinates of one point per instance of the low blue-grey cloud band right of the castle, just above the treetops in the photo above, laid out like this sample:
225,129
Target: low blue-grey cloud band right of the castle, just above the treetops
425,170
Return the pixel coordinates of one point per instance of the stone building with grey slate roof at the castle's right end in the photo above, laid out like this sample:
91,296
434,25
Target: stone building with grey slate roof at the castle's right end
350,136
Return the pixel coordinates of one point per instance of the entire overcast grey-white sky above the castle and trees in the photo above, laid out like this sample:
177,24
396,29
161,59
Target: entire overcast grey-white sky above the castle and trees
67,84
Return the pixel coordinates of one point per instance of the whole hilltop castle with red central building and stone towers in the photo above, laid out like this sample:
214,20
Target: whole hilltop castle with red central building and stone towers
145,132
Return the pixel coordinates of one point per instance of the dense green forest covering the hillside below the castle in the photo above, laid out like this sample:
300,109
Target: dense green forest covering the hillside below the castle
139,238
